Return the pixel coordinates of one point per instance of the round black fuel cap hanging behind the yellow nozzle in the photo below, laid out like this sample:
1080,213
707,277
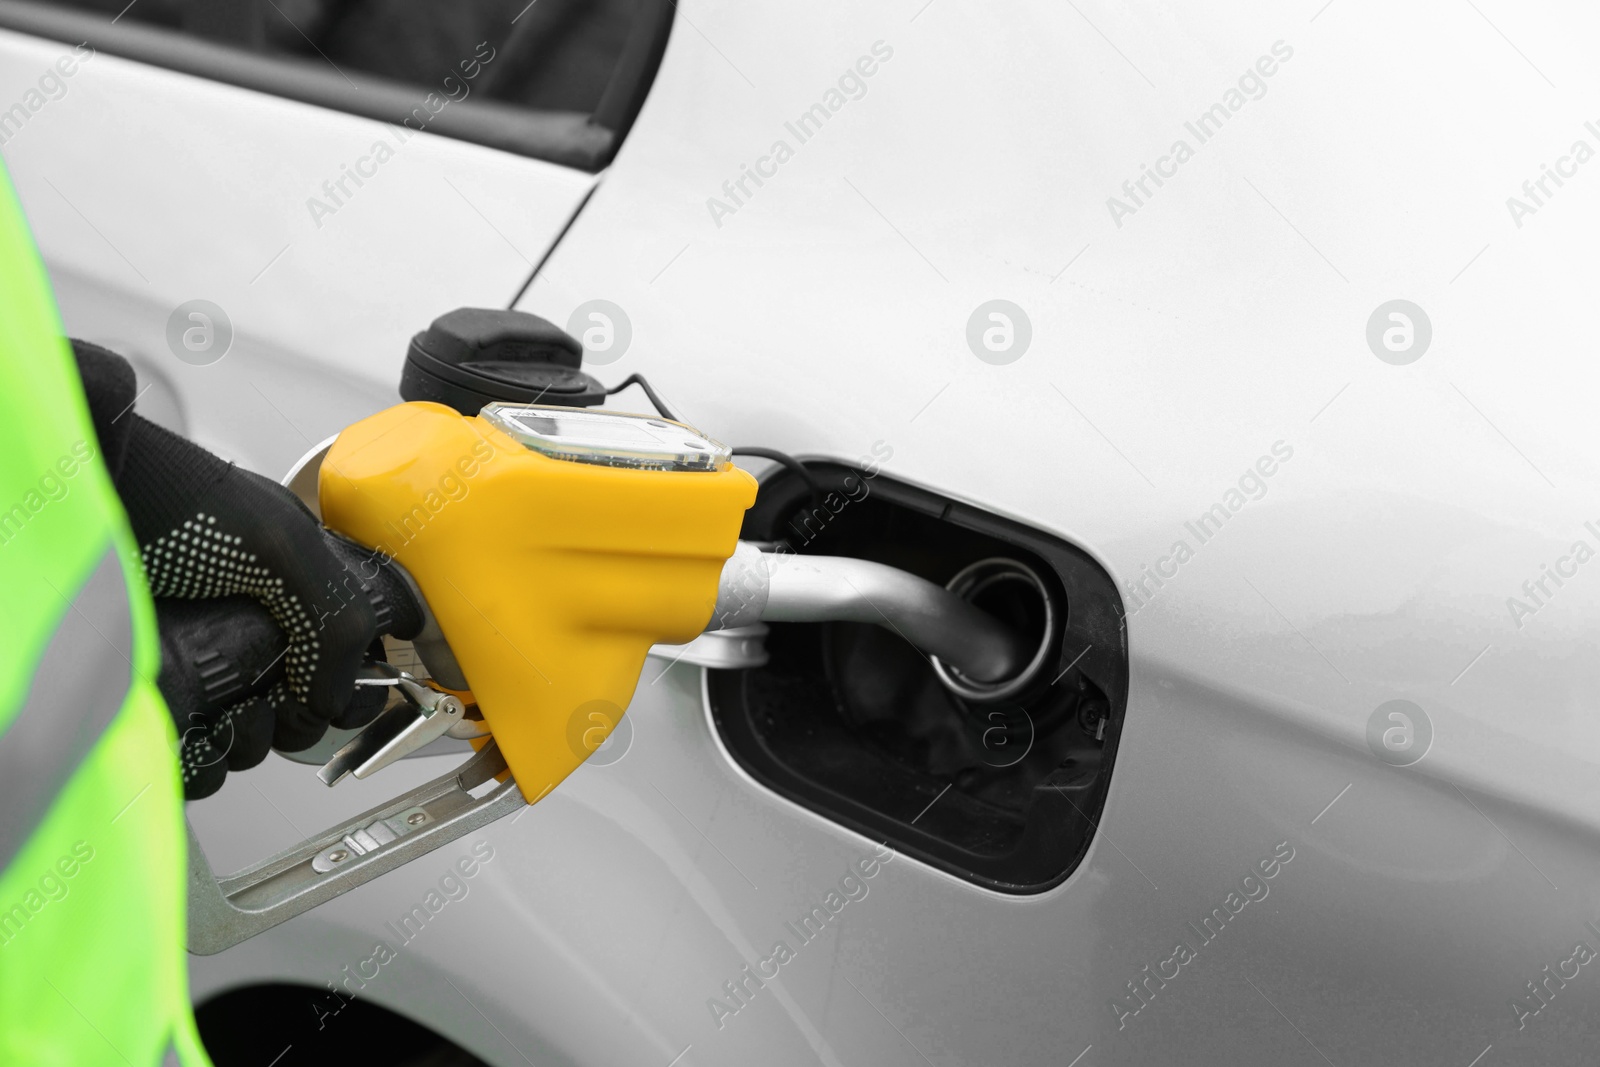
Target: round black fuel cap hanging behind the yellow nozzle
473,356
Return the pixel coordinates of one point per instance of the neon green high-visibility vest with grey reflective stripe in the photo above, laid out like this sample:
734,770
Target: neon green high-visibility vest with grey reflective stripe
92,828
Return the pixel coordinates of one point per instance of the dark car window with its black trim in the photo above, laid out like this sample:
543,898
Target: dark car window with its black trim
554,79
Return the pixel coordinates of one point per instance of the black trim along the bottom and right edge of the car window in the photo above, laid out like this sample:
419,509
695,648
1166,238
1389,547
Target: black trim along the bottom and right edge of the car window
575,140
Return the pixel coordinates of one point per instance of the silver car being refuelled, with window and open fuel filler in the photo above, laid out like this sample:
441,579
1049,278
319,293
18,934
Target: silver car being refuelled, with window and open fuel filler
1263,334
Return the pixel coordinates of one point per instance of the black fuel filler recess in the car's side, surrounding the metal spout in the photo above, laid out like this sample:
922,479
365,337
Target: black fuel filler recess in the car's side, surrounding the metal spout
1001,786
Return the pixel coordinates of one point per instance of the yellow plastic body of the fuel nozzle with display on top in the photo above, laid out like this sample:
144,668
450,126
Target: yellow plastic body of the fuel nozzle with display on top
554,548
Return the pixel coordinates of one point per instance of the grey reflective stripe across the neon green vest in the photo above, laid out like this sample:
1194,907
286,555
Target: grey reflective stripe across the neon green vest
79,687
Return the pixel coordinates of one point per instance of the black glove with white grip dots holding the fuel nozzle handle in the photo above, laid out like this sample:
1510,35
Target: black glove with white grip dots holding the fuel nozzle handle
212,532
